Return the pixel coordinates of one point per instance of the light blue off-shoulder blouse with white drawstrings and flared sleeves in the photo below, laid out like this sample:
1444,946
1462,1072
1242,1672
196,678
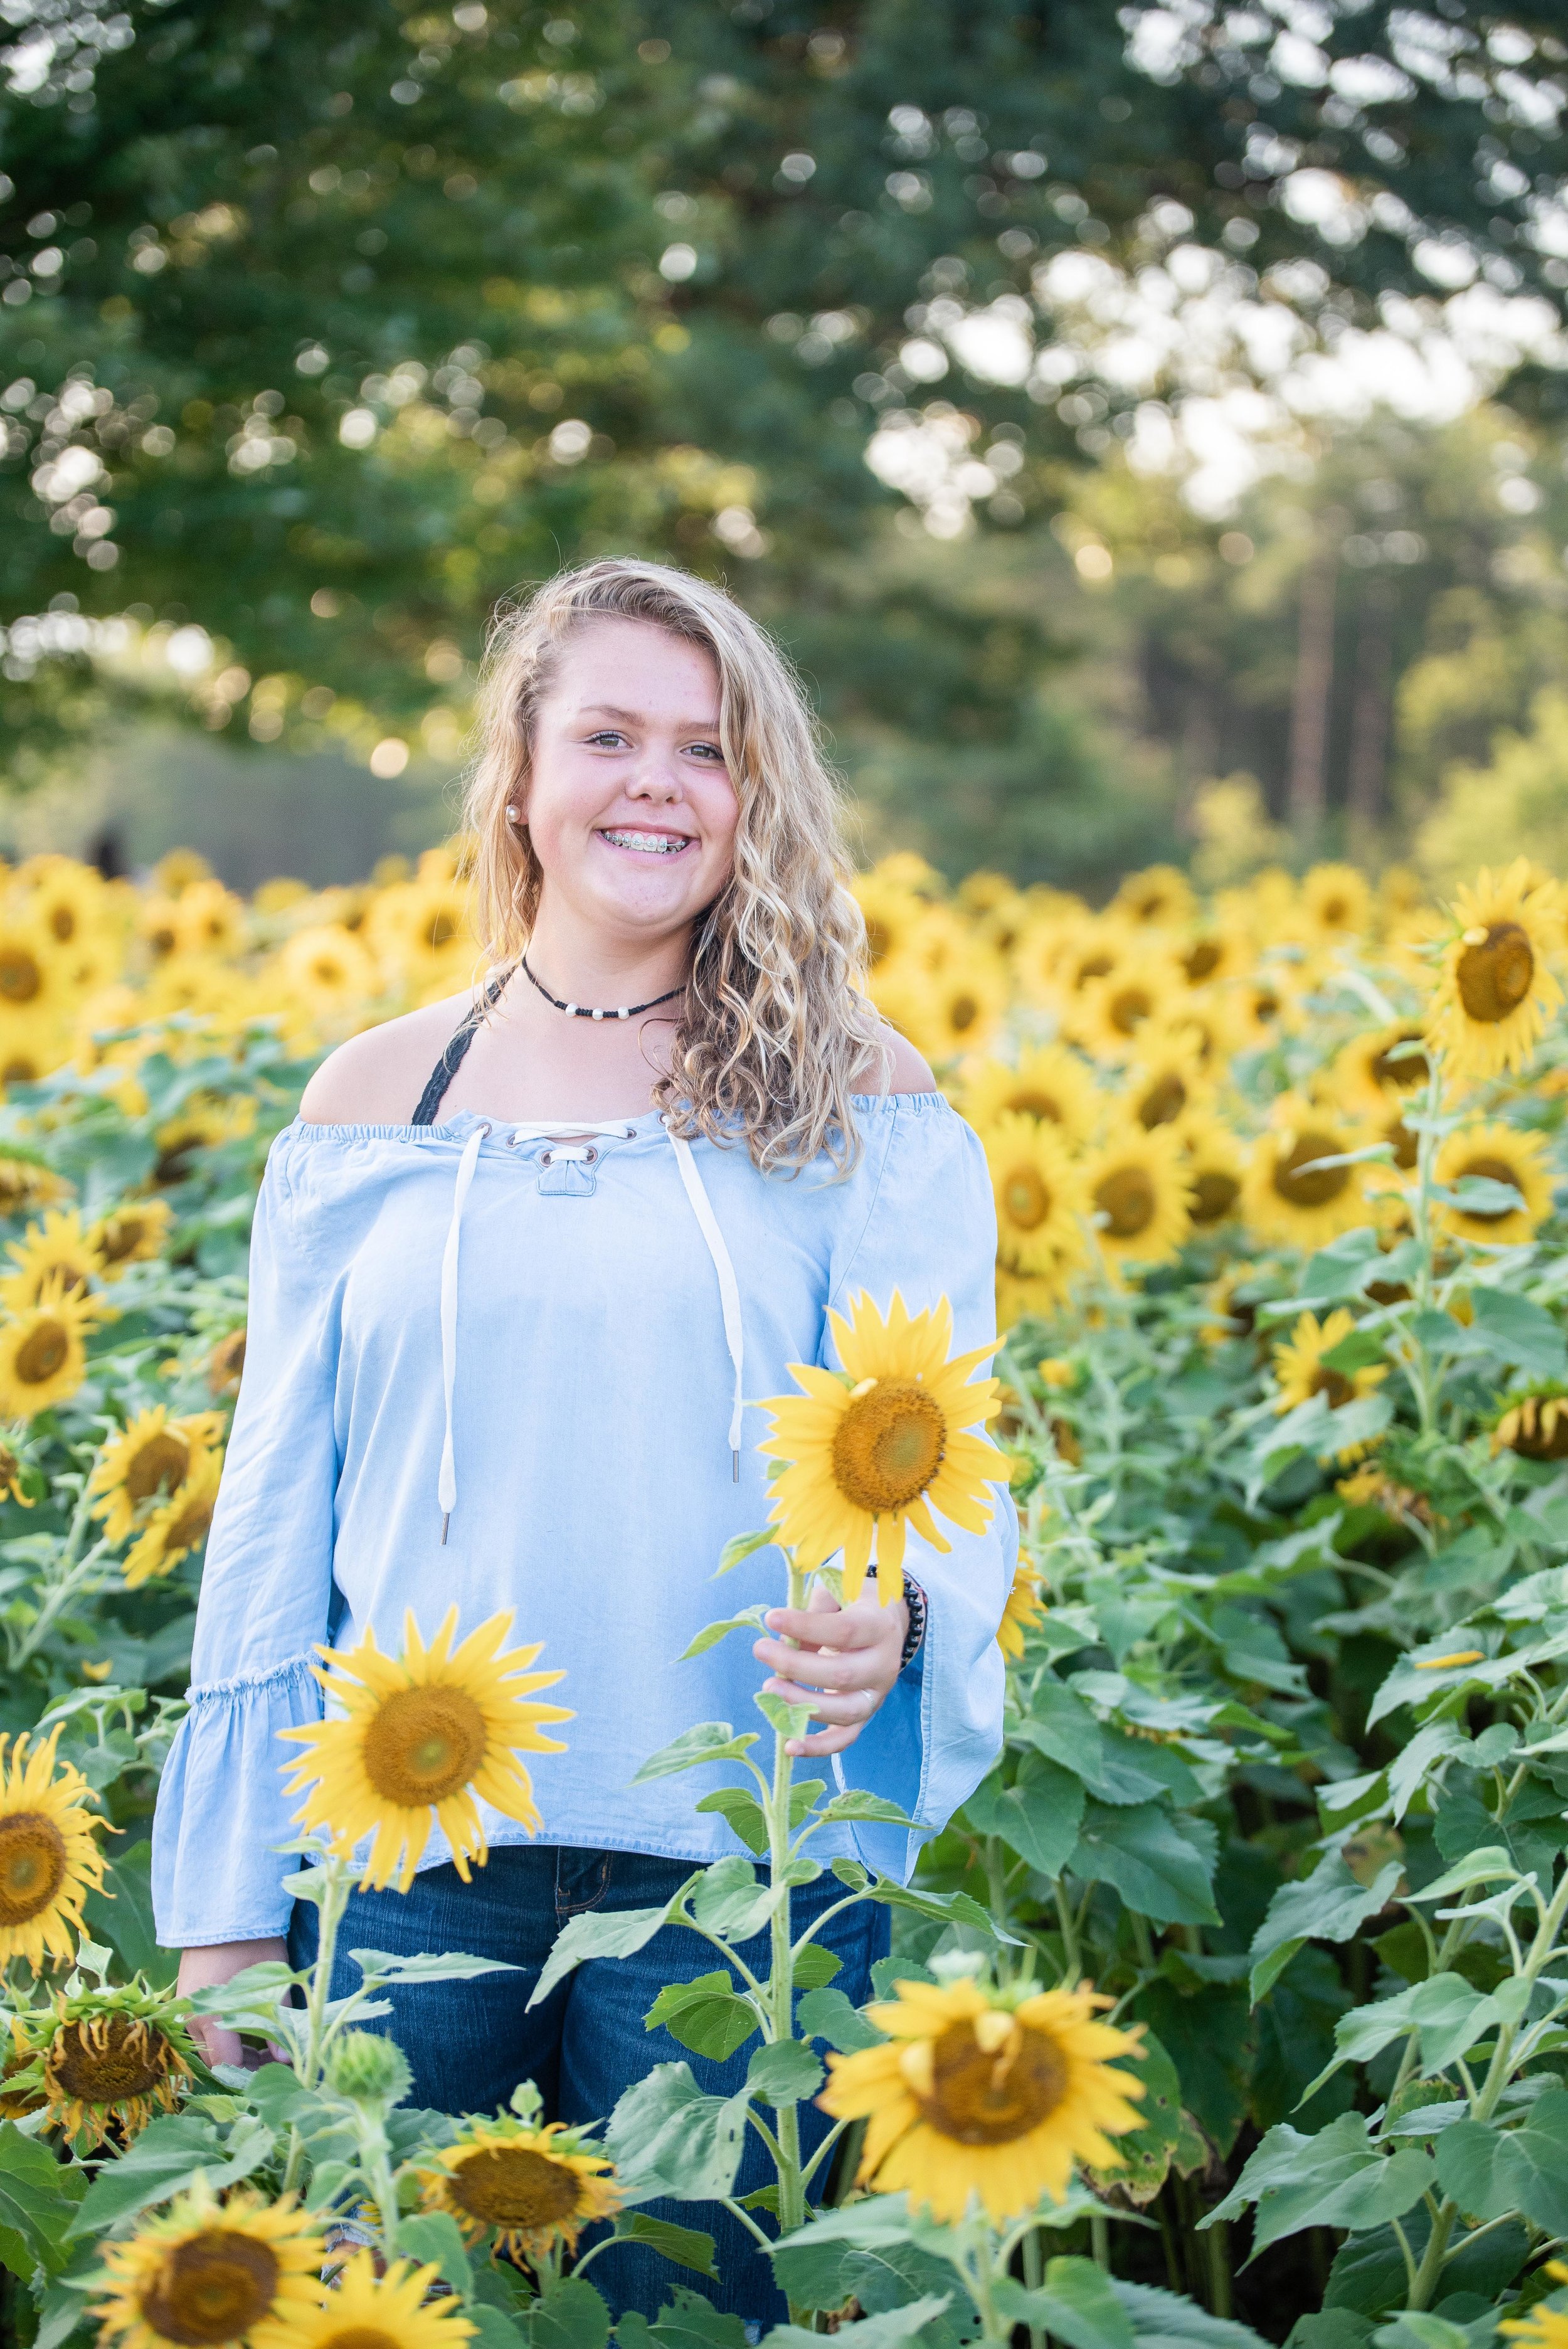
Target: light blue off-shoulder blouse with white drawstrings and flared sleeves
550,1357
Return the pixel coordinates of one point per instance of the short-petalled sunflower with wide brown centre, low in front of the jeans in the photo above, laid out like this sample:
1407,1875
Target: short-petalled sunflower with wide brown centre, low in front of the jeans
539,2188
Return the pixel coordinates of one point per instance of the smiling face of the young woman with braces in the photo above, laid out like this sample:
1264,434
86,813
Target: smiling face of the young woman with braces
630,802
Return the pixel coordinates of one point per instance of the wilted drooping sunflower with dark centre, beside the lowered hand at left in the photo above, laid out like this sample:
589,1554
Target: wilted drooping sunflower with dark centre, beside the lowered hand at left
107,2061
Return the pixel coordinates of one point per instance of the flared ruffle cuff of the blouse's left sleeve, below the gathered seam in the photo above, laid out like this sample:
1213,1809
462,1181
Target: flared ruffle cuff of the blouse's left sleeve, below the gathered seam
222,1810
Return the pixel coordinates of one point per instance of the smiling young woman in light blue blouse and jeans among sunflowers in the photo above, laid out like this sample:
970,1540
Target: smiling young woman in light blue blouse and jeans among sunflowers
520,1274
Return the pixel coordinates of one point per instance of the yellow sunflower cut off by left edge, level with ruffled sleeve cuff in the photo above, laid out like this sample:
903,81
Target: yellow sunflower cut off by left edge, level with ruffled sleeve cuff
48,1855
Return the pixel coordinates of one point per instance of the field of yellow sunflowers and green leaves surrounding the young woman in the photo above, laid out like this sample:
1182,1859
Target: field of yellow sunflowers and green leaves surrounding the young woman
1234,2007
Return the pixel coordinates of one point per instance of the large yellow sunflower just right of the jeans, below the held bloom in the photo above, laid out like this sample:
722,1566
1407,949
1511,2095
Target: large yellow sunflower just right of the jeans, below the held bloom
985,2099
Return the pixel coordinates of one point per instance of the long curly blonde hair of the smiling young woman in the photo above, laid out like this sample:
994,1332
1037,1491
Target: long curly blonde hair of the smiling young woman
773,1032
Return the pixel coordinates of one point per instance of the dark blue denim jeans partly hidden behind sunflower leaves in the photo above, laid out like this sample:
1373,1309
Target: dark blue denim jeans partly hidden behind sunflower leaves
473,2042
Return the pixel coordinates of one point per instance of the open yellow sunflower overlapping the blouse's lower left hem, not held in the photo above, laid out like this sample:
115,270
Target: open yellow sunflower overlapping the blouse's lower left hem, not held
426,1735
